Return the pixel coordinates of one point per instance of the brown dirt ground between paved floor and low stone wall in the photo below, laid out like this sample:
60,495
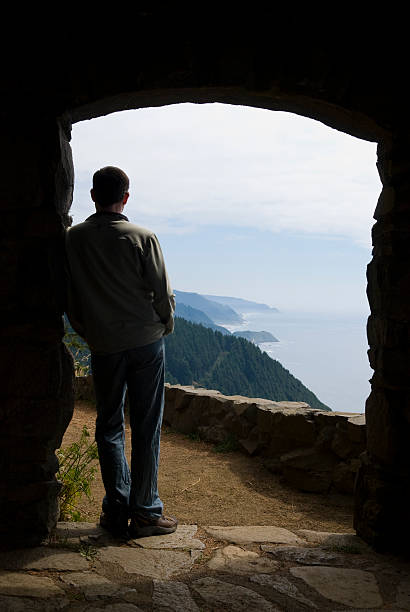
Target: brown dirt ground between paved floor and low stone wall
199,485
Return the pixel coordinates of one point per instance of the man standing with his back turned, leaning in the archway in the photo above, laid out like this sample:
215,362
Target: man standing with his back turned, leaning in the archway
121,303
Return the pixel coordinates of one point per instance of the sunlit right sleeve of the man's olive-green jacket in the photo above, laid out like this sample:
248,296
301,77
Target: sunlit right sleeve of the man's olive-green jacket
157,279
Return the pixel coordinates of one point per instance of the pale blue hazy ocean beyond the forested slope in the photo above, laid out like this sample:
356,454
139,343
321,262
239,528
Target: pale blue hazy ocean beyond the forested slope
328,353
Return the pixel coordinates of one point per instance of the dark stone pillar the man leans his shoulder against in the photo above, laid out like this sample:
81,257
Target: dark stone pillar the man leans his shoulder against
36,391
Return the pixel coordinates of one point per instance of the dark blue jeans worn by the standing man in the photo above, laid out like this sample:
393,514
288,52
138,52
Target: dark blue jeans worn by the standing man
140,369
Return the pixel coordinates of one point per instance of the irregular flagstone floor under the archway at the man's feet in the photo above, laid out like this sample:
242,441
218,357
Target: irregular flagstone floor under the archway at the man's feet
207,568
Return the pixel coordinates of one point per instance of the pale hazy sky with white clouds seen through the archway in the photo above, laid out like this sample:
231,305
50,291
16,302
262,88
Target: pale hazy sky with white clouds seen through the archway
252,203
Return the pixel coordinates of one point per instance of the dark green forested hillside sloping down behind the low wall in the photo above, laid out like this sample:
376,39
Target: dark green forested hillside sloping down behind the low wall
234,366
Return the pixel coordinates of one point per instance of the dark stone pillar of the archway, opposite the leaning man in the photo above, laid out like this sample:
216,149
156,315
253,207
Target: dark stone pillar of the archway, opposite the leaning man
383,492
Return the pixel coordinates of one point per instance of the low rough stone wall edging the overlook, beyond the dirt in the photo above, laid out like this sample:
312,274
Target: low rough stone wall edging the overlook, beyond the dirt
312,450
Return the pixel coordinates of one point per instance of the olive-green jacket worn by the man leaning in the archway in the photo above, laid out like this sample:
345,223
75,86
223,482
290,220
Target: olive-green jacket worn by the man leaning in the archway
118,292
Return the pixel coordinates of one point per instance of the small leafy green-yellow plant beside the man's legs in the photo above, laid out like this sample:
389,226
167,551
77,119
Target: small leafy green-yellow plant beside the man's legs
76,474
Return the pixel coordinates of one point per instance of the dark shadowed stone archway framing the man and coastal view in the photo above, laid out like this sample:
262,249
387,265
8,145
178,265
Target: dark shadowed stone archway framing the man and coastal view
35,197
